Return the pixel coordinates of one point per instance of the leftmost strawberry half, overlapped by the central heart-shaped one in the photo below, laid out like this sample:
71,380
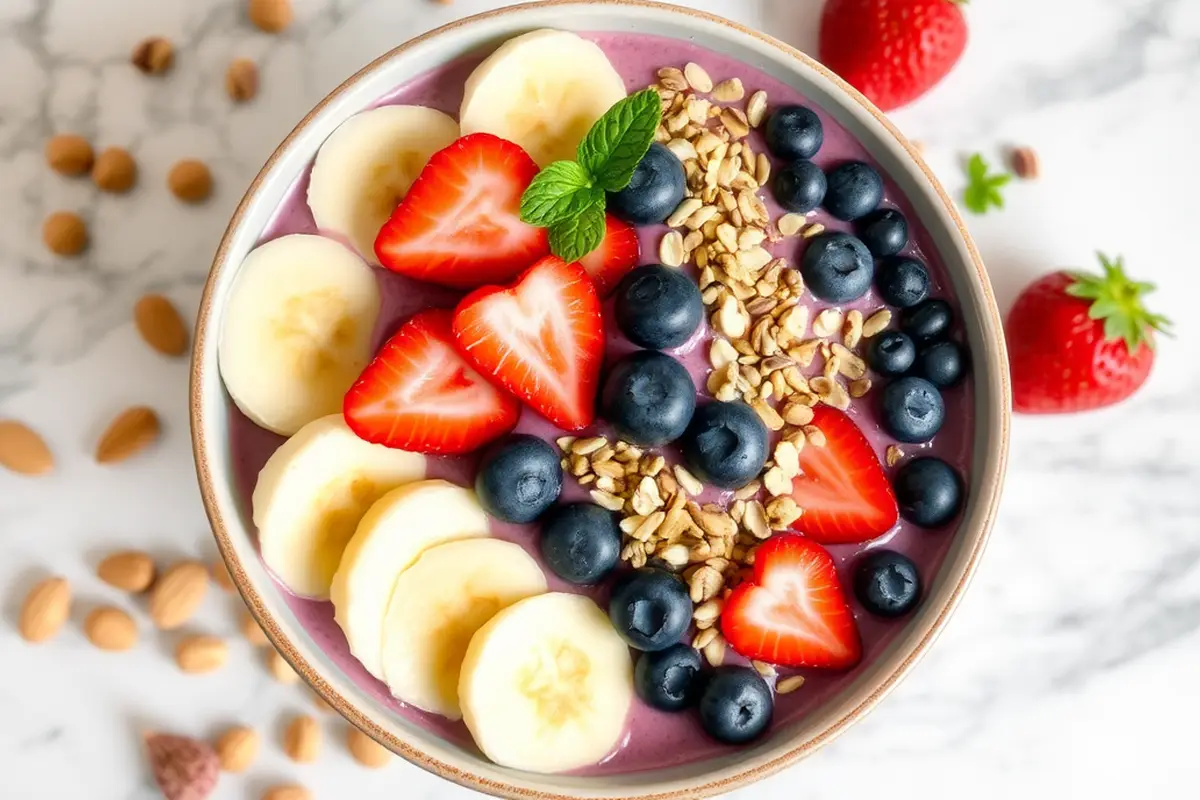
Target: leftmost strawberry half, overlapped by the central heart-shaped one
418,394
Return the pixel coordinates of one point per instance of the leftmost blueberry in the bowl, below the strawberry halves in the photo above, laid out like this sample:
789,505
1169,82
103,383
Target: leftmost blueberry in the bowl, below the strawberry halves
519,478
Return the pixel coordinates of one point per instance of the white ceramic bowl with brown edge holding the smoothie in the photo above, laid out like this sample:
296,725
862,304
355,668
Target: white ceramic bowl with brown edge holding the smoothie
929,202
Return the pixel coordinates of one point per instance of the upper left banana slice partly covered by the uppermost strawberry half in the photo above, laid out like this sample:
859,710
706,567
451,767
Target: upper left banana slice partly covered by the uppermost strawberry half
367,167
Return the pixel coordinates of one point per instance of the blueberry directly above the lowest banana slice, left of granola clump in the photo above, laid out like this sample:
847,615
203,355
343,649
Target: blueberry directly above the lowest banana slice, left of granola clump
580,543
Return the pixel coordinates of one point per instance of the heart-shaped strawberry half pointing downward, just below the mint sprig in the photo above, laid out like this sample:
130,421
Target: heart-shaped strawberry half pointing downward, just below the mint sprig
542,339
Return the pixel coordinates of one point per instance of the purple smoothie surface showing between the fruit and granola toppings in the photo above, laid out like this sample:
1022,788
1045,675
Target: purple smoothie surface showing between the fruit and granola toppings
655,739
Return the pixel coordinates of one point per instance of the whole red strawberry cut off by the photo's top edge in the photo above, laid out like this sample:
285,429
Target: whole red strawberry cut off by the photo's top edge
893,51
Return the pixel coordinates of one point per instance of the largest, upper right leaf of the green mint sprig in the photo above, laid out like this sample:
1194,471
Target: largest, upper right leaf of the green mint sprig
617,142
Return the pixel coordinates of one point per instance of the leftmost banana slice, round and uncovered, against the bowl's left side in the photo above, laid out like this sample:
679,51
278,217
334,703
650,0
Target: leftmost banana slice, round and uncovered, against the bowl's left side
297,330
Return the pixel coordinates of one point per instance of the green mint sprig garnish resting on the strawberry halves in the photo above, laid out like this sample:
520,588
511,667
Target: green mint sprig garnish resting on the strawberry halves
568,197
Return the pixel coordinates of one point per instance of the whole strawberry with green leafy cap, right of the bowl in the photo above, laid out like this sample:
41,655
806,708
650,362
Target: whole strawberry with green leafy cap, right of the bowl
1079,341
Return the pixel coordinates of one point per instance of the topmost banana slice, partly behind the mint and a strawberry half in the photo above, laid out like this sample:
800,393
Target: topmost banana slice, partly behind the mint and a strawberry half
542,91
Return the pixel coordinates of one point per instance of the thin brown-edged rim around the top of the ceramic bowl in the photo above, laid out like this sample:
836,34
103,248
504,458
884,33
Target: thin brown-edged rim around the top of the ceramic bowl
703,785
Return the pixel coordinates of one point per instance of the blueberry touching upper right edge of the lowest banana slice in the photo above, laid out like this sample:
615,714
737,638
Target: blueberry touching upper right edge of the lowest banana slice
651,610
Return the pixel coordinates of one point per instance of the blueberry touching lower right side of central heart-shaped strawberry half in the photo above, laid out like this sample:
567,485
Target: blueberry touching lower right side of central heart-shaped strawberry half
649,398
